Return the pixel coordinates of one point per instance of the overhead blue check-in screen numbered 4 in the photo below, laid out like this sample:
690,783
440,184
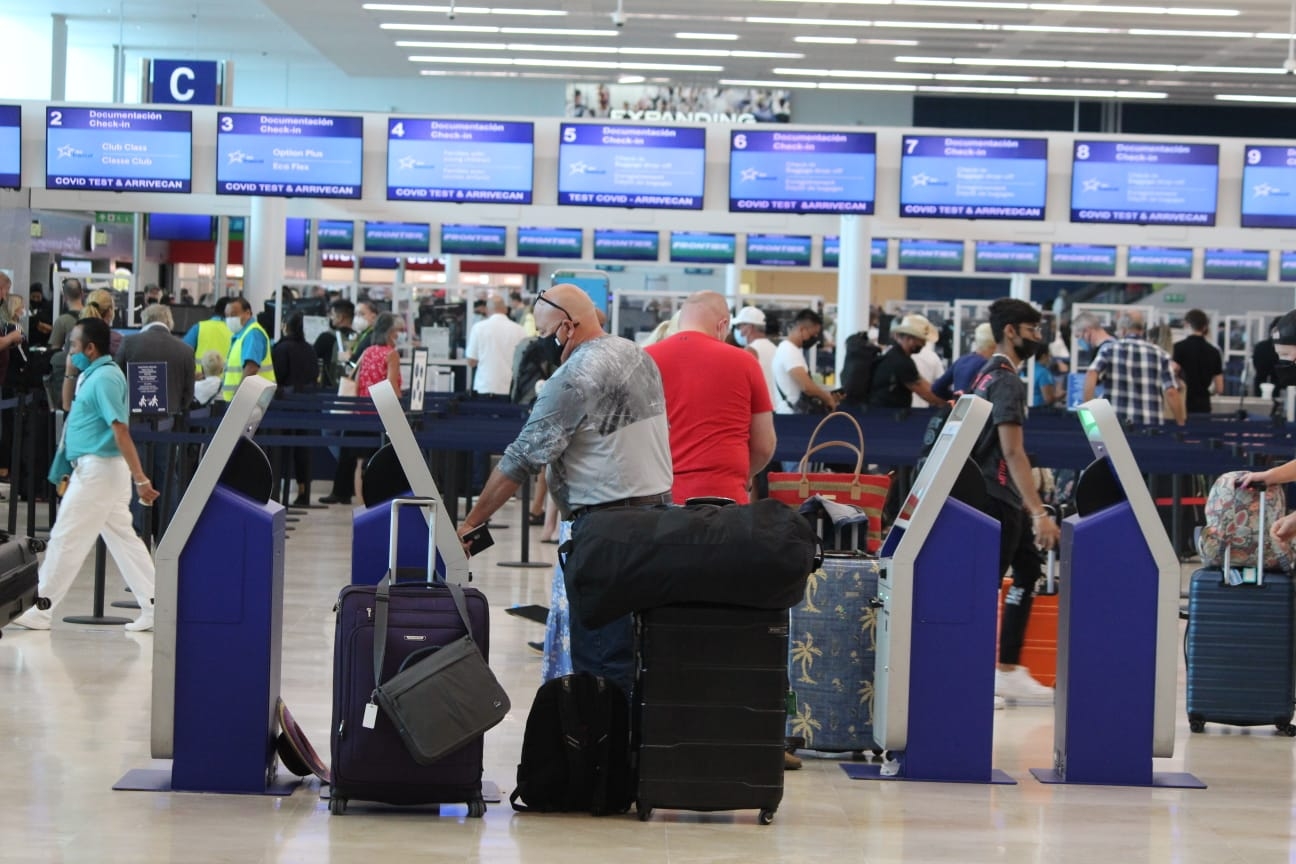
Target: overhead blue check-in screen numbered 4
481,161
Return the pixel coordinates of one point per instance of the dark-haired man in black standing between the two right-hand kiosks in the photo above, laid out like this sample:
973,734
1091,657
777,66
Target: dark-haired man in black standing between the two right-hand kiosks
1001,455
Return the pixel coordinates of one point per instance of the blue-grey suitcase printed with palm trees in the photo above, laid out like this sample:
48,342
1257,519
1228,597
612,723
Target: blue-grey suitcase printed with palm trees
833,641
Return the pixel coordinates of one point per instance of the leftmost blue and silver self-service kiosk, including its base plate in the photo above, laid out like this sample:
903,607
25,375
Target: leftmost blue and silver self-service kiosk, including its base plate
218,620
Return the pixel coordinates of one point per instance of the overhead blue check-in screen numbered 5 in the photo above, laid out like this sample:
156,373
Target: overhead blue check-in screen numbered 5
632,166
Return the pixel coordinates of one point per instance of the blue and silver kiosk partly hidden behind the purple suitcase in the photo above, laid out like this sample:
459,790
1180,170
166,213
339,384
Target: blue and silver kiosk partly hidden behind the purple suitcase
371,527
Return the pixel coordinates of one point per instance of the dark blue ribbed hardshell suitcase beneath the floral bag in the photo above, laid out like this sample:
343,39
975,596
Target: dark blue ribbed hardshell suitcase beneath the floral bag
1240,647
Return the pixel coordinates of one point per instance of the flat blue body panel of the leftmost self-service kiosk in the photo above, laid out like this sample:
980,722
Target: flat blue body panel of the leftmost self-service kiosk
230,617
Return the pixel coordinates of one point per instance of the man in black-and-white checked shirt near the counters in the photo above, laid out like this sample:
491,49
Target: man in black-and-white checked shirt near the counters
1137,375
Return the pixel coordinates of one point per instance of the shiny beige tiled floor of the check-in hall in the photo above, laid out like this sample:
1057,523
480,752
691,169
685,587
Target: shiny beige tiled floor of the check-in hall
75,718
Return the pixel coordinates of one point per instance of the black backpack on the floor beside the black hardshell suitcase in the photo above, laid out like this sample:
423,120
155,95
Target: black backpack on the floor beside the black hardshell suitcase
576,752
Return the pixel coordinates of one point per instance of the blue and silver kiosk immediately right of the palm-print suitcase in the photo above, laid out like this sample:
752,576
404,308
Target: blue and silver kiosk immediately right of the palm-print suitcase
934,681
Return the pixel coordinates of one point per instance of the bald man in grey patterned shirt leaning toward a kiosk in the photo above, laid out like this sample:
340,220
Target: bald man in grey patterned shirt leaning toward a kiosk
599,428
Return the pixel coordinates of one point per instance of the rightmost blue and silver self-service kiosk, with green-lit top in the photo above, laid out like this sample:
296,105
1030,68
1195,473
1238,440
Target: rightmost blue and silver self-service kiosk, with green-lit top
1118,625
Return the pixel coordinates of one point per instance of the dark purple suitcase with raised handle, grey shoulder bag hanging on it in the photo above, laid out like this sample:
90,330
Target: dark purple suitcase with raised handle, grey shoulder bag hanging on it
374,765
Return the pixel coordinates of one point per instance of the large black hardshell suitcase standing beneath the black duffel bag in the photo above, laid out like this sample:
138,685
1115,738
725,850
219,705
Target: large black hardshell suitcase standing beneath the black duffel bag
711,709
